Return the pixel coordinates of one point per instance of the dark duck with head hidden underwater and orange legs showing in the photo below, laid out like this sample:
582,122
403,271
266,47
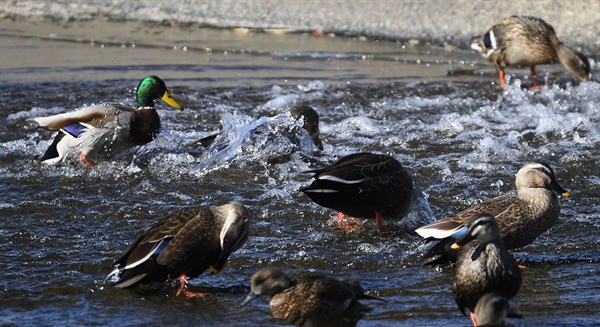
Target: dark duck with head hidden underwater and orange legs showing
363,185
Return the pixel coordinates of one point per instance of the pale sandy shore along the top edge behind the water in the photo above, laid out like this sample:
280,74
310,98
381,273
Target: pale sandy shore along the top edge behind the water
454,21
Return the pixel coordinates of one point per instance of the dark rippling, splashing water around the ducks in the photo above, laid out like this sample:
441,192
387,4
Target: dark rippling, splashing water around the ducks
436,110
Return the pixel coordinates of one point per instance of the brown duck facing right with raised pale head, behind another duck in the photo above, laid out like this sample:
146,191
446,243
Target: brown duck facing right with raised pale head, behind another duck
522,218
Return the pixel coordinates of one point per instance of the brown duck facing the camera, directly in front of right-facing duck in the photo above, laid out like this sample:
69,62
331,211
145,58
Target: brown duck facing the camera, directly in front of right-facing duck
483,265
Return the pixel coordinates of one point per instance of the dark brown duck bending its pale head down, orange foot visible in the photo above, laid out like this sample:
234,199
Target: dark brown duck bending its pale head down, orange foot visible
183,245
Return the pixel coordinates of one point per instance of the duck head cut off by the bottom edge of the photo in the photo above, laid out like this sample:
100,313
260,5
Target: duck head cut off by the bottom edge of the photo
491,309
